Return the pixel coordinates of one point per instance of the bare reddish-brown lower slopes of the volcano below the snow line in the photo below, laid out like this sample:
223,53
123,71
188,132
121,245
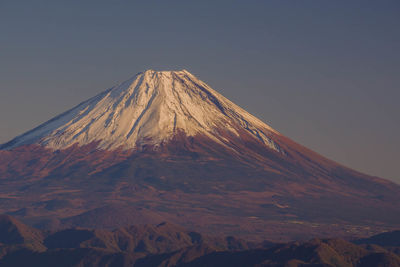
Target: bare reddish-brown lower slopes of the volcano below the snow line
258,195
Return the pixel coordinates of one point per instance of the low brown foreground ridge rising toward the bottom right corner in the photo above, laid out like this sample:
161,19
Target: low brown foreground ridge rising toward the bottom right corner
324,253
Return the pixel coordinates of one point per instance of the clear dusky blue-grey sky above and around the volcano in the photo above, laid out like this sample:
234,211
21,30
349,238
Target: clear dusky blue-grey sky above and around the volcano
324,73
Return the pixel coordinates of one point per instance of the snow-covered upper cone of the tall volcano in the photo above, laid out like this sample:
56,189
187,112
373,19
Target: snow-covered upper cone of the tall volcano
149,108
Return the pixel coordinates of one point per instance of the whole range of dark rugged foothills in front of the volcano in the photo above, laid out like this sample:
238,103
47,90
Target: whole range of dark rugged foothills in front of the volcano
170,245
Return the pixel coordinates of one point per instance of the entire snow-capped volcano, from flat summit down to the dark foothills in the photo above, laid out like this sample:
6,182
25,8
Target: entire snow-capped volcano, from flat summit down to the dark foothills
165,146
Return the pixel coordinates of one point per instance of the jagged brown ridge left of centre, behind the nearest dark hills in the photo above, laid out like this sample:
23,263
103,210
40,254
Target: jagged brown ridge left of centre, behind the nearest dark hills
140,239
